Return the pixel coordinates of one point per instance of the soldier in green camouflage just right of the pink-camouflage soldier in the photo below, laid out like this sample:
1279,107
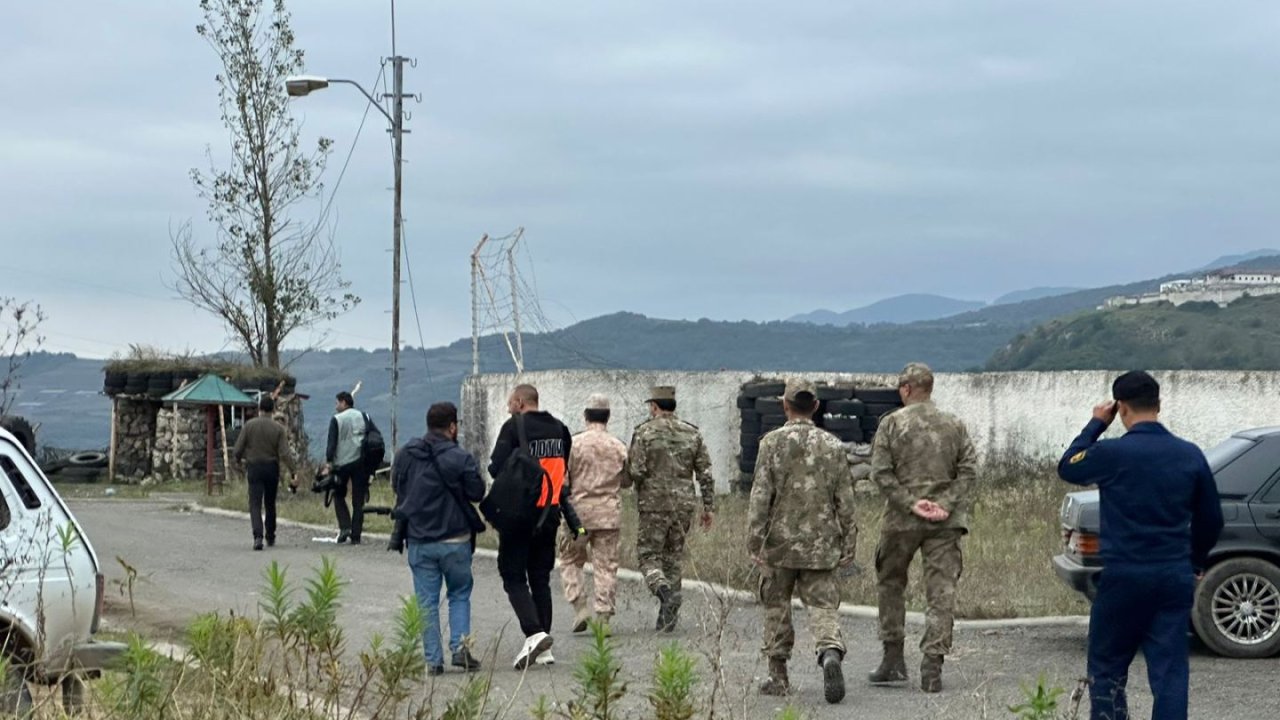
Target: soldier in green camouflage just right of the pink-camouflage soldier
668,454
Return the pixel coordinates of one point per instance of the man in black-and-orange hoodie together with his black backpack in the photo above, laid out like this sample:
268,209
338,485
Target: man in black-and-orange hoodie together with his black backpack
529,495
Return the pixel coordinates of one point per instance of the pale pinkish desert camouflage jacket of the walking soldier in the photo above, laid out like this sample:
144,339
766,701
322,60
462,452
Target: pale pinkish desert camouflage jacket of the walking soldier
597,472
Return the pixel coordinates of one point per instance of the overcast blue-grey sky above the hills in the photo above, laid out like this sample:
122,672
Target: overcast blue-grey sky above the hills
678,160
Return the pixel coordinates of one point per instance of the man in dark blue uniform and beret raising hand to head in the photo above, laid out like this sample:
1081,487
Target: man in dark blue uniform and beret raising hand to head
1160,518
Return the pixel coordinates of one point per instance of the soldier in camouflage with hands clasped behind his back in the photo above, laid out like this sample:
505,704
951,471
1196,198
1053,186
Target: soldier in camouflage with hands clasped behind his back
925,466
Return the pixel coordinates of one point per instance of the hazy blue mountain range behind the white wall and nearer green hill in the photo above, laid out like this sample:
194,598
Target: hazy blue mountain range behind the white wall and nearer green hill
63,391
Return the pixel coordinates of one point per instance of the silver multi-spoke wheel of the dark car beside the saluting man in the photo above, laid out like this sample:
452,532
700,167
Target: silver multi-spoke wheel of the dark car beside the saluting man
1238,609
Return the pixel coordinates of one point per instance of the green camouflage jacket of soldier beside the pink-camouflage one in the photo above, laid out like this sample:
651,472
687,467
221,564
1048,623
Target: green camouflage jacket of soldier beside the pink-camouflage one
666,455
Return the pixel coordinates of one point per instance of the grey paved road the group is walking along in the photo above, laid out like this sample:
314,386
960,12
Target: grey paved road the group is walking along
193,563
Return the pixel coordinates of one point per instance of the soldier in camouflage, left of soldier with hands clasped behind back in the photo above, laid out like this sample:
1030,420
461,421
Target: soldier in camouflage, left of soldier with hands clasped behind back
801,528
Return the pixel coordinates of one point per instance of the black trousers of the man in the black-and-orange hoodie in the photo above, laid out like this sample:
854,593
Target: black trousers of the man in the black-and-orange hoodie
525,562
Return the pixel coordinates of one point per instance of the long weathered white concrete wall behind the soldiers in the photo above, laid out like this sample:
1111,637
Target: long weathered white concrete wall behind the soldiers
1034,414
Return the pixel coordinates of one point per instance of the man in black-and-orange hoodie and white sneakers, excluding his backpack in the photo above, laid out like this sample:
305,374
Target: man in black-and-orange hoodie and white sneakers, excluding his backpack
527,555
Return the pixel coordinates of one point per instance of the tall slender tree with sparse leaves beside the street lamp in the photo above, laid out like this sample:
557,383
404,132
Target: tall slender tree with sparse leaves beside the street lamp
269,274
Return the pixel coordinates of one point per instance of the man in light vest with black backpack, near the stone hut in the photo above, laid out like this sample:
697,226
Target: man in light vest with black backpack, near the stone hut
349,458
